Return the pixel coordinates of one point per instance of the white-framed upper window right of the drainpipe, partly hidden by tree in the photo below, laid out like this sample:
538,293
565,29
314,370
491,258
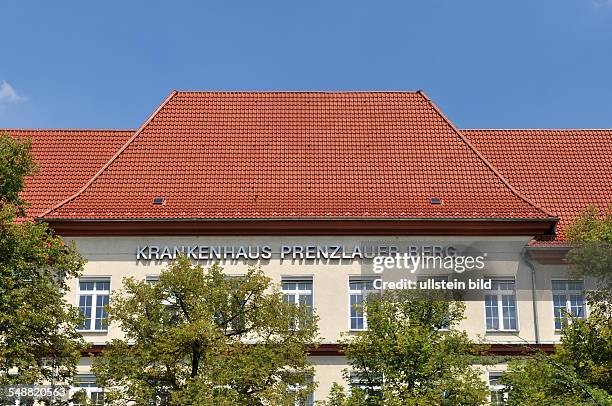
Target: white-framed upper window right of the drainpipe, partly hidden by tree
568,299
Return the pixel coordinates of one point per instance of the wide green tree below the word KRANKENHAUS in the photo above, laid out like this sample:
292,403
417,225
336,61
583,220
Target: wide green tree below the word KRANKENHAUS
199,336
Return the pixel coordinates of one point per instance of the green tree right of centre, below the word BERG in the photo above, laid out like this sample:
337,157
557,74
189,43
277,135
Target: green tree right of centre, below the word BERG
408,356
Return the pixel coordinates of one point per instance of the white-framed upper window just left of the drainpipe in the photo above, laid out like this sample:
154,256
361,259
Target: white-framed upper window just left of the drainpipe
500,306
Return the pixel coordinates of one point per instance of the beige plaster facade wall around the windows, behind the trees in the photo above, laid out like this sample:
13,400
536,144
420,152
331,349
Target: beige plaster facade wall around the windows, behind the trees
116,258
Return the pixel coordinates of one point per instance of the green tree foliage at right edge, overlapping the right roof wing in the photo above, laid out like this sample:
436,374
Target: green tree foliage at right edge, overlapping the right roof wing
580,371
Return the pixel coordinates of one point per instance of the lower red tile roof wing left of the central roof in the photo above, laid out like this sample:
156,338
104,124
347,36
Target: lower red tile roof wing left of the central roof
66,160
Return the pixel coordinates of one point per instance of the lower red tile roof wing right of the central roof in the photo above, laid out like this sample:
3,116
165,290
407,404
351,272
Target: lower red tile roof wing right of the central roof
562,171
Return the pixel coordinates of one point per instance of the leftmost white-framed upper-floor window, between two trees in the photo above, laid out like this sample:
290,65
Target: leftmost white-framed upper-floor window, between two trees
92,298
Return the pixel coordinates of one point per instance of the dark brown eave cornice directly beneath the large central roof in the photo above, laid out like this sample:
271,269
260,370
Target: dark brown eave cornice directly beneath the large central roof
302,227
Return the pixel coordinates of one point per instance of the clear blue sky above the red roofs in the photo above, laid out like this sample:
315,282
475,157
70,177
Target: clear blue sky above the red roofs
487,64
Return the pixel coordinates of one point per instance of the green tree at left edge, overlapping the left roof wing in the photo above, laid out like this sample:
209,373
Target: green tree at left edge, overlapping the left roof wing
38,337
